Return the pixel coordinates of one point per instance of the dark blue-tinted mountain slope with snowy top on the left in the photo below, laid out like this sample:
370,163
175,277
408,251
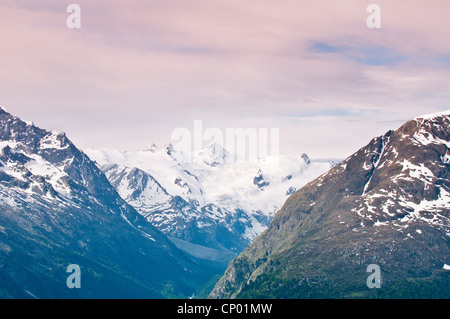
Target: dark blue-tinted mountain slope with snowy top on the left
57,208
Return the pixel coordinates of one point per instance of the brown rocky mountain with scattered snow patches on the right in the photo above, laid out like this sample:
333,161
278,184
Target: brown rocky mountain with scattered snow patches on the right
388,205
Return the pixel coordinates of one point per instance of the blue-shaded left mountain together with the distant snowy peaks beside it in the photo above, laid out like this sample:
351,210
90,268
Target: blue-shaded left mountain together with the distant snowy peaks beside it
138,225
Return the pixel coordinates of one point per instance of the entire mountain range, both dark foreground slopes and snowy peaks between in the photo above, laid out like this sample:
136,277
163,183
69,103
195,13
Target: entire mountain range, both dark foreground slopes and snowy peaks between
149,225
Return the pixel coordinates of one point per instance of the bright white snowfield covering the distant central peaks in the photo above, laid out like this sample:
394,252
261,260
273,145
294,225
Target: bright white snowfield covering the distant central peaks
224,186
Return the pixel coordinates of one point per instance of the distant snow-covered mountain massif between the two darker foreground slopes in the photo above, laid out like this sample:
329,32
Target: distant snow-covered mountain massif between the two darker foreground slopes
208,201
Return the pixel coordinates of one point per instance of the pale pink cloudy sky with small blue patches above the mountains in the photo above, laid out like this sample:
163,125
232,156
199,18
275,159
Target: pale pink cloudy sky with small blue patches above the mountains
136,70
